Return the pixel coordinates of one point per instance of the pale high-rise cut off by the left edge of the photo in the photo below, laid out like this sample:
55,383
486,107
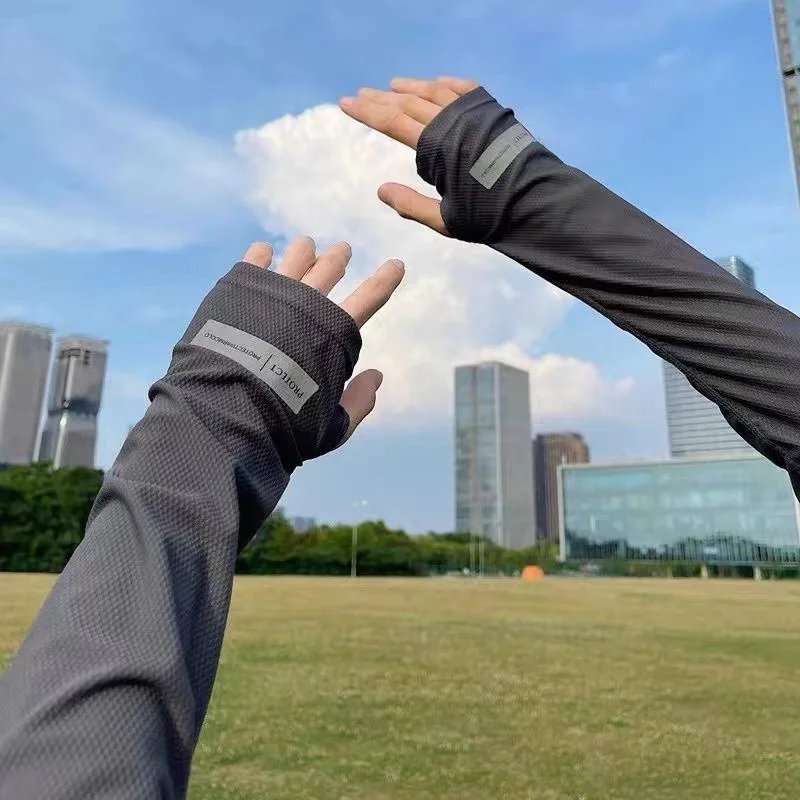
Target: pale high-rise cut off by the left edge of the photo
24,358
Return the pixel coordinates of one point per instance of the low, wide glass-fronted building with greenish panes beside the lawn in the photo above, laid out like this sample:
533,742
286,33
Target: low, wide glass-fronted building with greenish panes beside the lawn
733,509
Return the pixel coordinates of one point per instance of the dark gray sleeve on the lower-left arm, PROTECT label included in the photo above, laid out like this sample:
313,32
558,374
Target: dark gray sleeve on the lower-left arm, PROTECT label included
107,693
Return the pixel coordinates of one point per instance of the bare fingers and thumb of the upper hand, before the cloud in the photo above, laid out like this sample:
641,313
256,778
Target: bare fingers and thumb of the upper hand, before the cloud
402,114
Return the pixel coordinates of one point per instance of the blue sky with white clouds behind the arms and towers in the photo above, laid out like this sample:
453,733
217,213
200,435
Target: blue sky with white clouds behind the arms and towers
144,145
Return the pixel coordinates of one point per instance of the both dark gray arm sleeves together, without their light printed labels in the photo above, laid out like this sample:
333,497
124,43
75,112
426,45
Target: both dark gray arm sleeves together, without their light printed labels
107,694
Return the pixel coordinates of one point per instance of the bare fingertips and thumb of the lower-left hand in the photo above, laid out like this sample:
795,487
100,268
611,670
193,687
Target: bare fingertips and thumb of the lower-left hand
300,262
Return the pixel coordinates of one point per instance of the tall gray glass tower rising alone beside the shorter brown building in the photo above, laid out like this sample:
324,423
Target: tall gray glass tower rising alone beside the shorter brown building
493,462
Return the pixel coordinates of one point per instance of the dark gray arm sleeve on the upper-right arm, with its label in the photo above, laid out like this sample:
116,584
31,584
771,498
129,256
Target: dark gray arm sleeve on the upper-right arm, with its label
501,187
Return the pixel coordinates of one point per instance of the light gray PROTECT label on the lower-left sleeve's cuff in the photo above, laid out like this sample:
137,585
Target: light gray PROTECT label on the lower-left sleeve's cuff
285,377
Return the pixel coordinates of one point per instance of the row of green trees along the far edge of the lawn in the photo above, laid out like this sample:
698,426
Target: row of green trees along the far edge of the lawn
43,514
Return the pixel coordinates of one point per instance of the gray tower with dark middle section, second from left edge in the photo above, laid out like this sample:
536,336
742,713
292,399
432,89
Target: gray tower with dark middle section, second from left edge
69,437
